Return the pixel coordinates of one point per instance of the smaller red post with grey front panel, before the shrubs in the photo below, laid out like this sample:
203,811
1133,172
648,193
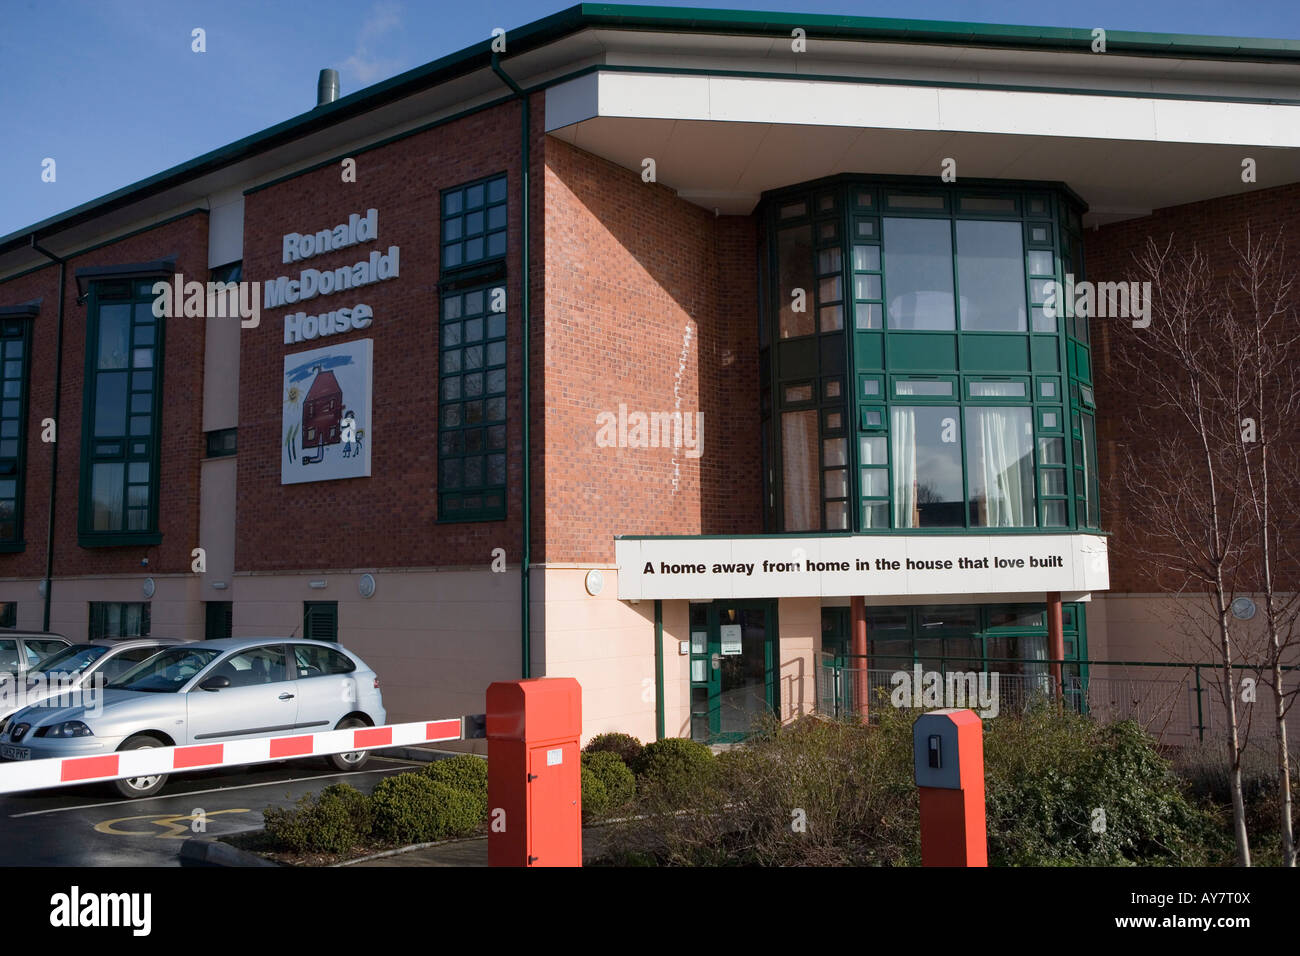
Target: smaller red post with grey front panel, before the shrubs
948,752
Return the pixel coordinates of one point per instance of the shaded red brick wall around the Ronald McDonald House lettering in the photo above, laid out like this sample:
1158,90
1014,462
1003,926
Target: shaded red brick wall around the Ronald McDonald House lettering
391,518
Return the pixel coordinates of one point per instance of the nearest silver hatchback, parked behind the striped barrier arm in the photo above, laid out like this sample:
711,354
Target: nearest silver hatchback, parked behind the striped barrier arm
209,693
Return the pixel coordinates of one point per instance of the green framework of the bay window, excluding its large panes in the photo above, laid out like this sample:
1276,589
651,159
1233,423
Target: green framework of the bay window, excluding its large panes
990,362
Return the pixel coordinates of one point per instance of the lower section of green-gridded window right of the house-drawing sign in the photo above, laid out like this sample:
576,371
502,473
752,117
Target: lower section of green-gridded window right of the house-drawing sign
473,429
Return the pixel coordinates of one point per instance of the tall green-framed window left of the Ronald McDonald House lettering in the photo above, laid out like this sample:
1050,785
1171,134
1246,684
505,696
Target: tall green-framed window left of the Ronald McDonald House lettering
122,417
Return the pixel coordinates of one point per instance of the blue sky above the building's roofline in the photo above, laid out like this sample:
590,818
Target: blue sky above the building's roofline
112,92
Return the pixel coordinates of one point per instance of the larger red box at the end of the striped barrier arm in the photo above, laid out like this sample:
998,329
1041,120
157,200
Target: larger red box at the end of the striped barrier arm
535,782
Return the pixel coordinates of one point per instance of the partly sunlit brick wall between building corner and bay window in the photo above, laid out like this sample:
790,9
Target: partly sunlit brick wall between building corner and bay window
629,269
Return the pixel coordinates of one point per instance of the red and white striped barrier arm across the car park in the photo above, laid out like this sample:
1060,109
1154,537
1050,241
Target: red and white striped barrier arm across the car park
57,772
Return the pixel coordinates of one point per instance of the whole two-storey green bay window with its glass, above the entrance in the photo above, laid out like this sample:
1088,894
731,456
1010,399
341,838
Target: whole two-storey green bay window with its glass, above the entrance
922,310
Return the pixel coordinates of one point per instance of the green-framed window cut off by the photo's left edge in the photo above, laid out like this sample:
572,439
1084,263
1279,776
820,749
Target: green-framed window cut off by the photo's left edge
15,384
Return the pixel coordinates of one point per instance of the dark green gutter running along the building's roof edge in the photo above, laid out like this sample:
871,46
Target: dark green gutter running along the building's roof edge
668,20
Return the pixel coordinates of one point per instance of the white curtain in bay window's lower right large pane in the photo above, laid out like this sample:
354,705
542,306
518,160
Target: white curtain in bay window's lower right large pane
1000,443
